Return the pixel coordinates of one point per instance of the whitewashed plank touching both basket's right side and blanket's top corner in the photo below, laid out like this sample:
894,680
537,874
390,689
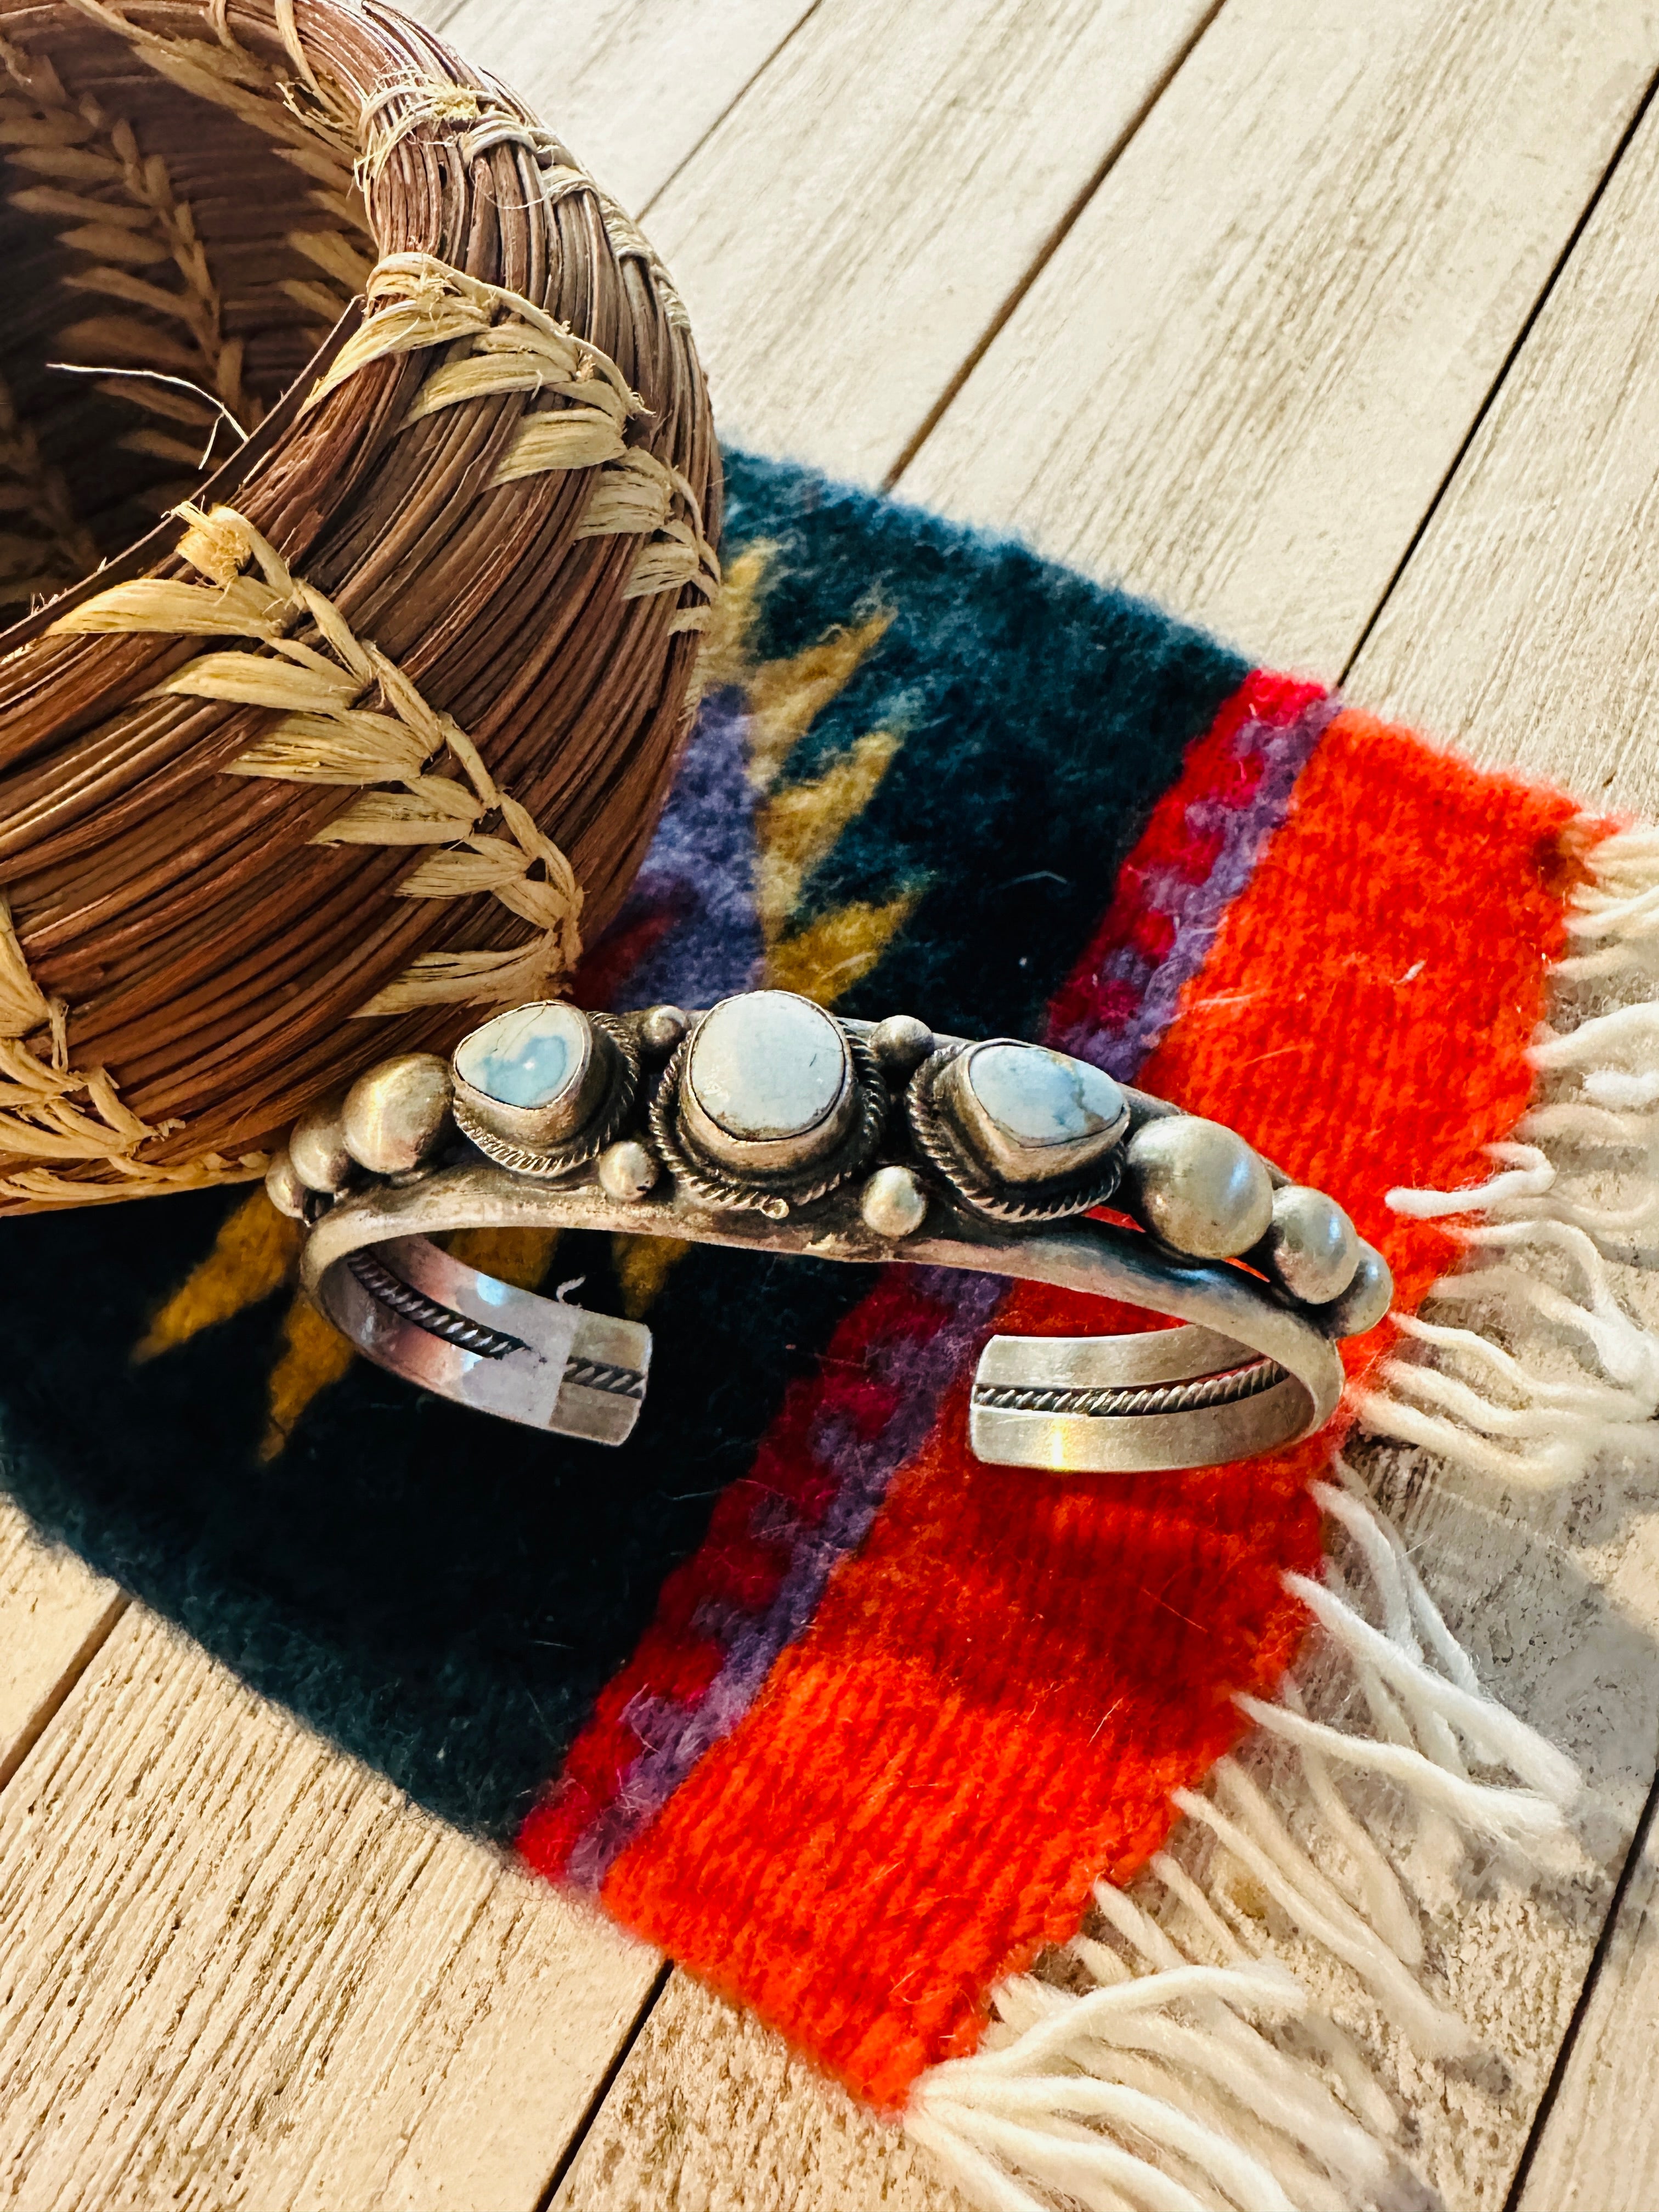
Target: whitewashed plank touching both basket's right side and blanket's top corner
851,231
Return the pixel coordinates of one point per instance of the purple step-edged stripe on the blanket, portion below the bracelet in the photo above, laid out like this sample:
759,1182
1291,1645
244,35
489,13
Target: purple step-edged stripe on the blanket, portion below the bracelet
678,1733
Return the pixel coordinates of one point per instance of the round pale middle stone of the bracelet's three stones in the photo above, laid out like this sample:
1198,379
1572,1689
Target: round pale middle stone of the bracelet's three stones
766,1067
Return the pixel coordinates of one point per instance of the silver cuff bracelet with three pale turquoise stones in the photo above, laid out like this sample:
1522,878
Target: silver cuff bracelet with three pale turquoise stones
775,1125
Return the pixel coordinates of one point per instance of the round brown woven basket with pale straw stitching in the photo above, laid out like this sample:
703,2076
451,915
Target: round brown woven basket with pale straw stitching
377,720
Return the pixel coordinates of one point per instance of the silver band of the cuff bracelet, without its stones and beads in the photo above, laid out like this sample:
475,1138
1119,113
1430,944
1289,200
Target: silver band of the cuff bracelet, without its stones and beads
1231,1319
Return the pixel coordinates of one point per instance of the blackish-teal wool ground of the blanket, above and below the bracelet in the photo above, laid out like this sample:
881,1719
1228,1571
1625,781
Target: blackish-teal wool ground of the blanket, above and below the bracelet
446,1594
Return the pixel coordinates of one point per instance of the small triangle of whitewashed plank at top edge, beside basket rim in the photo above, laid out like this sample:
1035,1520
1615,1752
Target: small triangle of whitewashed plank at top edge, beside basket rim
632,85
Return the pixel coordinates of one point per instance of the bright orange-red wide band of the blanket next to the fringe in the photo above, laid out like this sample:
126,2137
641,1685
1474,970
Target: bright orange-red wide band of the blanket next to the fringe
1008,1682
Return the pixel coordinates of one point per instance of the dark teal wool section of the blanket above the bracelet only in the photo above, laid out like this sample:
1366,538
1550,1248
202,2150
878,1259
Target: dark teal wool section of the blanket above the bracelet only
1043,718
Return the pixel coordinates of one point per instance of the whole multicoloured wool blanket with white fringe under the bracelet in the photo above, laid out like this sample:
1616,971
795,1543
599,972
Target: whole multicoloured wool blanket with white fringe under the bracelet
851,1724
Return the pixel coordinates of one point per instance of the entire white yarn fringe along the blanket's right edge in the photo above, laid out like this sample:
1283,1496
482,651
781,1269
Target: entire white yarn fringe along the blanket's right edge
1171,2069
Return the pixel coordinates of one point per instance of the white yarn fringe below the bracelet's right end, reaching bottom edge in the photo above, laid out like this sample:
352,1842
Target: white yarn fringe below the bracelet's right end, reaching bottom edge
1182,2072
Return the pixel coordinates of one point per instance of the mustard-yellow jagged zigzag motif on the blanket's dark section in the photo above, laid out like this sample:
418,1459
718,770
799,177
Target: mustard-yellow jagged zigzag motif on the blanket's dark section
797,828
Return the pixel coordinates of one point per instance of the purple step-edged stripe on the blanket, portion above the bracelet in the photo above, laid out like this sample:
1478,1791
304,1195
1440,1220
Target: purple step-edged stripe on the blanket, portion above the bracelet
1154,990
